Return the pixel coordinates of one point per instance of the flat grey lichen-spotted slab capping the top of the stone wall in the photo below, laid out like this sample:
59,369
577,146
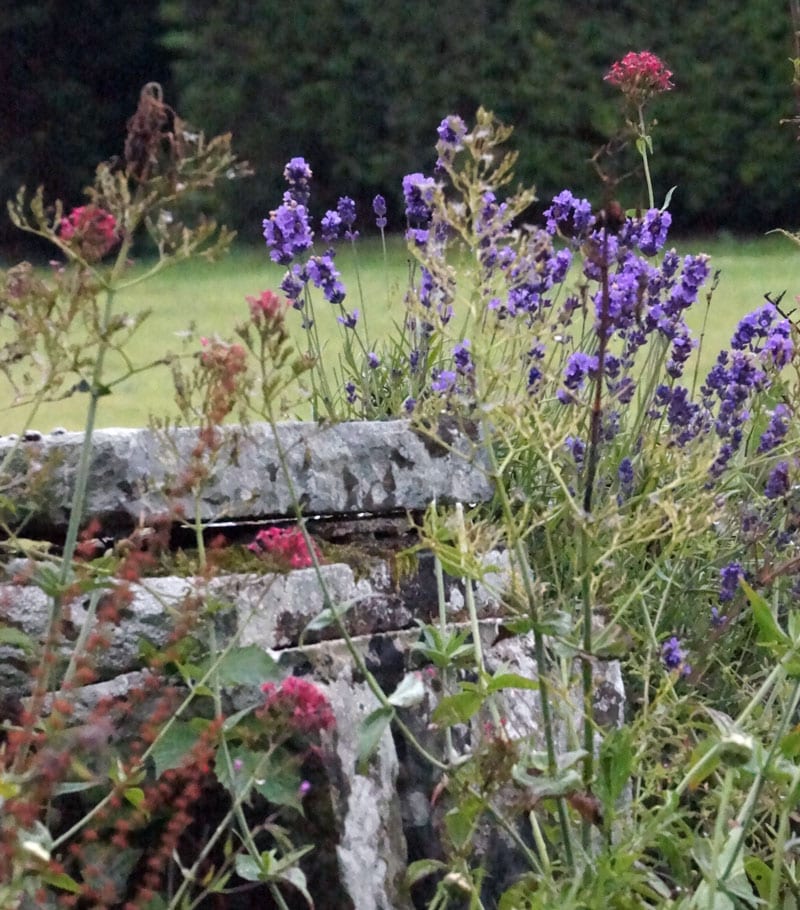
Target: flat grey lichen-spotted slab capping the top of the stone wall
346,468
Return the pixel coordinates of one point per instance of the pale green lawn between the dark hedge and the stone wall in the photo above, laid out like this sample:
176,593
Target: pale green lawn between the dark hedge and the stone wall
209,298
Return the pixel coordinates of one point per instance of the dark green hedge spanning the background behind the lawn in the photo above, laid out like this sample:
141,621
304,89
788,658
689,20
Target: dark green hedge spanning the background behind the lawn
358,87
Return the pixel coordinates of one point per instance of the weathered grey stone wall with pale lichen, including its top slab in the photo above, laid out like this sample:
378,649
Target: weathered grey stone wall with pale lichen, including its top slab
349,476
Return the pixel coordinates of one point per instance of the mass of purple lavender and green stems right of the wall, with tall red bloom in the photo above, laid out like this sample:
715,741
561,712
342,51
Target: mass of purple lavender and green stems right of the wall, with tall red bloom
640,503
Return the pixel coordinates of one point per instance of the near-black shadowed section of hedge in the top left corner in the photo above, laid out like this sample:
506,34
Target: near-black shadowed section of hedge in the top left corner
70,75
